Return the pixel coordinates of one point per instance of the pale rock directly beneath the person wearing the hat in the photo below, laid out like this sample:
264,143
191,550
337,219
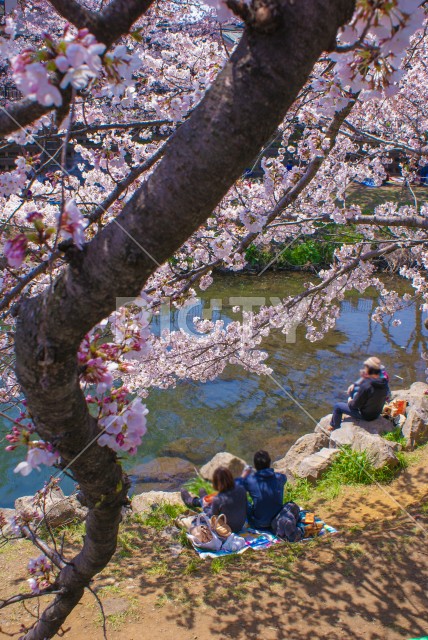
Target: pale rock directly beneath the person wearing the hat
379,450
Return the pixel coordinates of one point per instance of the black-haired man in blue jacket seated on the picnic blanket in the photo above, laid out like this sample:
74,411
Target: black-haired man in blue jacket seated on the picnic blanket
266,488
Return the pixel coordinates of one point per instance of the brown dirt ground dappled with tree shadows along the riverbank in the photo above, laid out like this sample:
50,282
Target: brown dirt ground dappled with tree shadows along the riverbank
369,582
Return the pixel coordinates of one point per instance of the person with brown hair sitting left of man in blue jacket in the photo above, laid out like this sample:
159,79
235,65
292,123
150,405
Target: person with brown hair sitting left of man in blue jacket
230,501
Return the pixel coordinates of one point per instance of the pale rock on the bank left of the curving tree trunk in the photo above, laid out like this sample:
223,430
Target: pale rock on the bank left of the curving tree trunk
58,509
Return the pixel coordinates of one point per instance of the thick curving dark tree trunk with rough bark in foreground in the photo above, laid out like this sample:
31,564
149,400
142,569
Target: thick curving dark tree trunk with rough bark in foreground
202,160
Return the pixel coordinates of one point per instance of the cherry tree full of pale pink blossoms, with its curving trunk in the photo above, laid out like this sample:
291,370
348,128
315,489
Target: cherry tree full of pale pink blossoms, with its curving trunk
152,120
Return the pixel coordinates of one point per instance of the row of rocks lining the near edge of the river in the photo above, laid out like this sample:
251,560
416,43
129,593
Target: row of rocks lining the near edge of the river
309,457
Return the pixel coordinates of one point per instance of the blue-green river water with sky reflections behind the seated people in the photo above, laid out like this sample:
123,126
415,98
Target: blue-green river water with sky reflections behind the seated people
241,412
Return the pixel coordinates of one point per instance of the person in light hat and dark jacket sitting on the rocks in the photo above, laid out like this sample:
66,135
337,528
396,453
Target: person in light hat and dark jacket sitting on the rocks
367,403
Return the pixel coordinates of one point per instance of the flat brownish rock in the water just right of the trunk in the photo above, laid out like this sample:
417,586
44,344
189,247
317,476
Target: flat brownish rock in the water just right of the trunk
170,473
